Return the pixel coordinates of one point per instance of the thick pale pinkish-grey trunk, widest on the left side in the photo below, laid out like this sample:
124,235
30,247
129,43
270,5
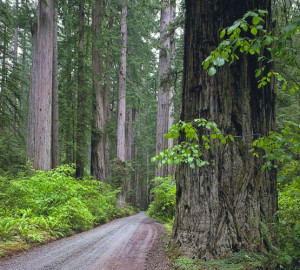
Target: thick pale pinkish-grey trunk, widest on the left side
43,112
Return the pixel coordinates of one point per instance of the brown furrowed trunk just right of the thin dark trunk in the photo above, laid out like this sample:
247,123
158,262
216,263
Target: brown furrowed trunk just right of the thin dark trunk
98,168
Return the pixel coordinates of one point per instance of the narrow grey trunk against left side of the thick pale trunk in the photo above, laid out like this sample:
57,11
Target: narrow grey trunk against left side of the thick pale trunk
32,94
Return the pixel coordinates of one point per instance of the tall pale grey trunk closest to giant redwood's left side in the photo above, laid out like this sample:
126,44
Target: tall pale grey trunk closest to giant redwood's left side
163,90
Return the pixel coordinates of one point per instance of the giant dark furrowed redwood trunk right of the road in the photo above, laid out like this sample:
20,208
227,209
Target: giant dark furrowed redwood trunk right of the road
220,206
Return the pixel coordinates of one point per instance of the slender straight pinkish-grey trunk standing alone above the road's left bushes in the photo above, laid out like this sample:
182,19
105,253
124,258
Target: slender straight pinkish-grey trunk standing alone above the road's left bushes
121,148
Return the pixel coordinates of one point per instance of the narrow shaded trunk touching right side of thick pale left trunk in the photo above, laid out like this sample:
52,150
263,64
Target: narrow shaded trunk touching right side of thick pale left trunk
55,120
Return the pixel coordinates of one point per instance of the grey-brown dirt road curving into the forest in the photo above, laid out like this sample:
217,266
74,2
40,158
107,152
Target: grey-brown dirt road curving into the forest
123,244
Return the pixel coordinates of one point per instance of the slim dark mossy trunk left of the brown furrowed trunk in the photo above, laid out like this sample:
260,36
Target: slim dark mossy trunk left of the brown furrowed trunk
82,99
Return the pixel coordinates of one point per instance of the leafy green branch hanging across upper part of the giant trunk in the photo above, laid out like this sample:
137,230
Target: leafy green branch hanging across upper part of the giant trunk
248,36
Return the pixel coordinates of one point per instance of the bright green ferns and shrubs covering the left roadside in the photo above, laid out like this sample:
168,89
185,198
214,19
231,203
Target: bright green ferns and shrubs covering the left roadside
37,207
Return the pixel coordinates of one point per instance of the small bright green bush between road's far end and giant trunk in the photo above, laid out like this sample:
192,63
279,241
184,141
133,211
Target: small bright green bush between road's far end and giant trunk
163,196
